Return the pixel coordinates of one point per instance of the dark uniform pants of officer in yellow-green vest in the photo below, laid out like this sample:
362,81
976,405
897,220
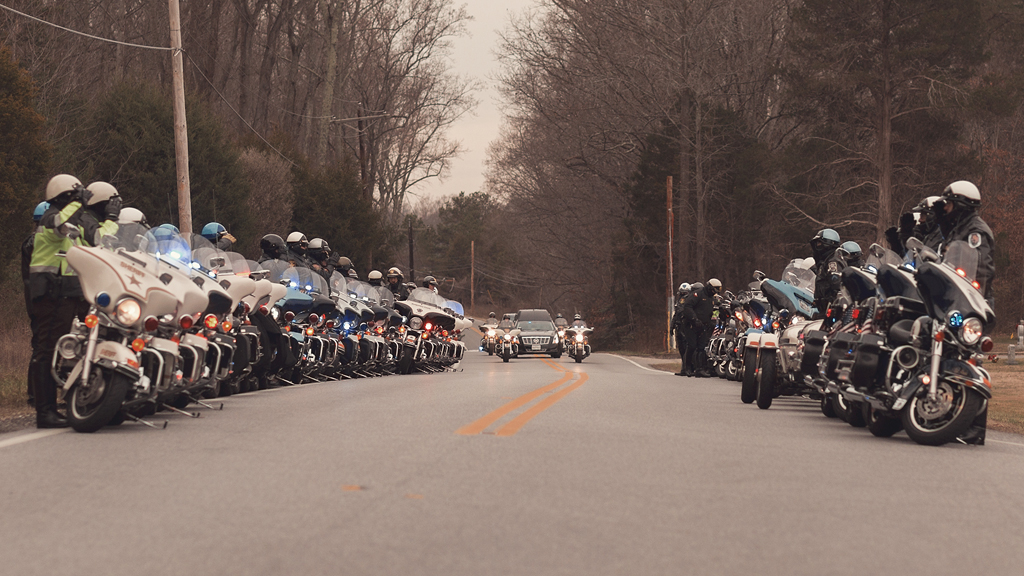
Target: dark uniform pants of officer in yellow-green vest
54,317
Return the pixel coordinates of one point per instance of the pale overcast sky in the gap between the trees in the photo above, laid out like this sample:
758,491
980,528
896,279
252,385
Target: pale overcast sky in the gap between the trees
475,56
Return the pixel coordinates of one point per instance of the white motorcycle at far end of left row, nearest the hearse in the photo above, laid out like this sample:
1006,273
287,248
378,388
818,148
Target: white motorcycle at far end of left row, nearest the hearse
426,318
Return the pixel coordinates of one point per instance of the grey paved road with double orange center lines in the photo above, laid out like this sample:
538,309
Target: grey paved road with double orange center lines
609,470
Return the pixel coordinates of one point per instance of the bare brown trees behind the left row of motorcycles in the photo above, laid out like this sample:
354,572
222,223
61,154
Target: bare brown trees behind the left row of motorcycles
298,109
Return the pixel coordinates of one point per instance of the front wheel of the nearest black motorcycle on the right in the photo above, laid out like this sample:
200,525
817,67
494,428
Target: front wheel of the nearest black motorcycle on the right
934,423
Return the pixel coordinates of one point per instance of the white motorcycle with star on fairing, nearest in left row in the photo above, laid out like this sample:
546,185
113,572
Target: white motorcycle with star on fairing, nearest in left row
119,363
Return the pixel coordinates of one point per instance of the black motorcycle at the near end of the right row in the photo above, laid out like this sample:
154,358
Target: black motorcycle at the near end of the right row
922,374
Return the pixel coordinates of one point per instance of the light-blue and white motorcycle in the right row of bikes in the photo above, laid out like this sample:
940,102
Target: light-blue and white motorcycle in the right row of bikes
780,349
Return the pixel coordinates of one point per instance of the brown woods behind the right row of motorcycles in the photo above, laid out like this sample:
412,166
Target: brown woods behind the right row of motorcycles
776,118
